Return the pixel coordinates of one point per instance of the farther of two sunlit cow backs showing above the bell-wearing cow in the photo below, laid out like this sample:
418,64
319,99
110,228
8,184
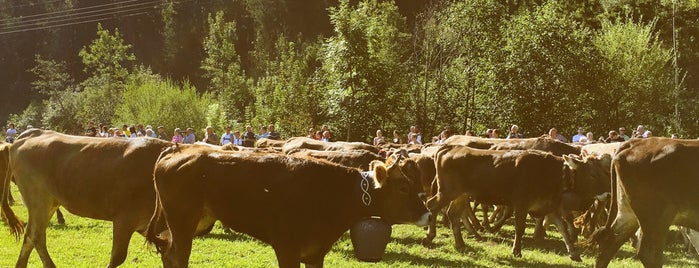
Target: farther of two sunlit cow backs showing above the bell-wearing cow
299,143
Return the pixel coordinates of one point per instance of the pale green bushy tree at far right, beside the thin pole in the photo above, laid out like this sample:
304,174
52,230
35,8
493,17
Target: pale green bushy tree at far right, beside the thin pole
638,86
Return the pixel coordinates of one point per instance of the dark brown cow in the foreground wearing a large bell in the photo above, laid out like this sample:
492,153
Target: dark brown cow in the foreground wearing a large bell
300,206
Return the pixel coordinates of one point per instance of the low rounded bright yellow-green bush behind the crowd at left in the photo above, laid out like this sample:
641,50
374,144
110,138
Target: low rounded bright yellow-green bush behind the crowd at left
149,99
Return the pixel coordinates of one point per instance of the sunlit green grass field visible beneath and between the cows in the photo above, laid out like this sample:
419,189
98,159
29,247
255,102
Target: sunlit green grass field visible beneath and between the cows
85,242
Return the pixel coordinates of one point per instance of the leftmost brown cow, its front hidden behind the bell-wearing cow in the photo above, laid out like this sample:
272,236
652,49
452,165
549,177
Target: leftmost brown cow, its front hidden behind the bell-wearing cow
106,179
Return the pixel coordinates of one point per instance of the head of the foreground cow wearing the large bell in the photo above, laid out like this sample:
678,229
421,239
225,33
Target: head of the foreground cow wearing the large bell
396,200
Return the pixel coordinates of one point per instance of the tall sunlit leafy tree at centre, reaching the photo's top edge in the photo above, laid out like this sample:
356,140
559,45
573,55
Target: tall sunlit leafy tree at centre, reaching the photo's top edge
365,68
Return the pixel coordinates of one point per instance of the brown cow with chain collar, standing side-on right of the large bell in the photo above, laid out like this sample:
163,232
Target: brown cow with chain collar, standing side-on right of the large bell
529,181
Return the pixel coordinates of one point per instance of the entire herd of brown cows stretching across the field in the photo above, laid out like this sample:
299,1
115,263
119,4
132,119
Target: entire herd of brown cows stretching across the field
300,195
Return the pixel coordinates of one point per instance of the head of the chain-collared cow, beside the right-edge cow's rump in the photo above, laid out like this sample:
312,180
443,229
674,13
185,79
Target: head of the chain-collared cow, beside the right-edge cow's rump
590,174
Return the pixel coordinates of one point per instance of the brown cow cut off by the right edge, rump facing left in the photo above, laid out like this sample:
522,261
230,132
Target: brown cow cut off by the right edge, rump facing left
654,184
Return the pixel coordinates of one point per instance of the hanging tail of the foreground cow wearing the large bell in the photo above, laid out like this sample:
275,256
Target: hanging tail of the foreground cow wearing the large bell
157,224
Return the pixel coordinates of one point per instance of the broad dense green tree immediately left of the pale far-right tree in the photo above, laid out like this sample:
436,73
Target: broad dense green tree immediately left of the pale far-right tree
550,71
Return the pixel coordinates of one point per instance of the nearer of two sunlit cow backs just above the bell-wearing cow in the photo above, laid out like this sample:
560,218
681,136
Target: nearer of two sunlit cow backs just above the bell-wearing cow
355,158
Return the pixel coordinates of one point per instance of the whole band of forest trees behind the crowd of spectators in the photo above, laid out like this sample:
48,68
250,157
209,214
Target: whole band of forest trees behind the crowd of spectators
356,66
